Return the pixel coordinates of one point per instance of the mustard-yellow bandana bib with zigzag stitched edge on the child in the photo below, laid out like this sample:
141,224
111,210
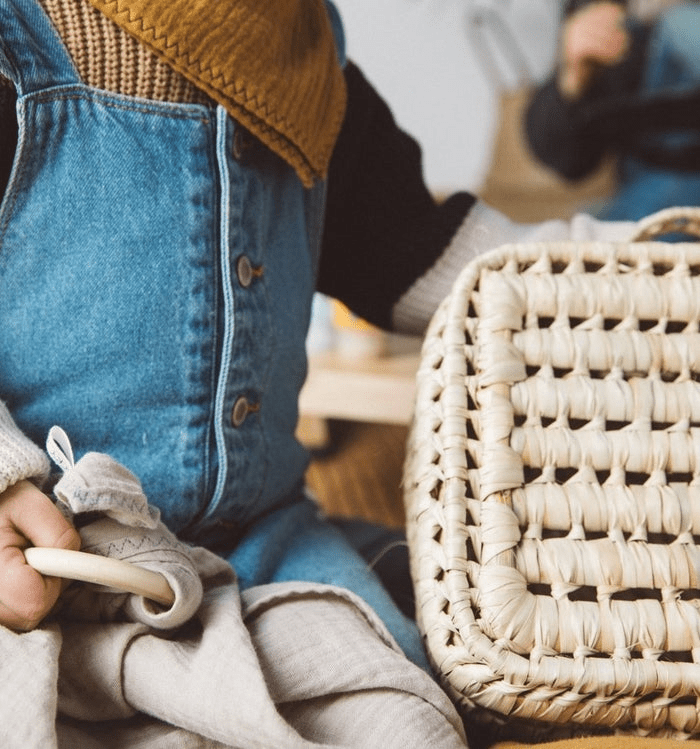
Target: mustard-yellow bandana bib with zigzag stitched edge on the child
271,63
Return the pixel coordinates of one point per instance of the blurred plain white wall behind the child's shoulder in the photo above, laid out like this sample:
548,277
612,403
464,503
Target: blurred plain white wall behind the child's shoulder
419,56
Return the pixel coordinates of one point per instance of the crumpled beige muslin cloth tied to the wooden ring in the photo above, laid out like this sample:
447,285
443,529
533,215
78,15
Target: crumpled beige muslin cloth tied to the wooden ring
284,666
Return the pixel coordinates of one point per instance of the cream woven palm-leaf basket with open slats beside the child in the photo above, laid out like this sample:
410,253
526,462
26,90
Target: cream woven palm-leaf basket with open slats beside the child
552,483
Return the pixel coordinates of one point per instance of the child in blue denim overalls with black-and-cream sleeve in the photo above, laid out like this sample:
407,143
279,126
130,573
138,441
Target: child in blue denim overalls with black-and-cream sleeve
157,265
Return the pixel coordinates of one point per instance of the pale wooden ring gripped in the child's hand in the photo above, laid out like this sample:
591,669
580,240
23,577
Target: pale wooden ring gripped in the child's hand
91,568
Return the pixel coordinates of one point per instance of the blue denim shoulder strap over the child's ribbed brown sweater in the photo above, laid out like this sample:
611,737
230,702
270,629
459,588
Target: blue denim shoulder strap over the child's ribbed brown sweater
32,54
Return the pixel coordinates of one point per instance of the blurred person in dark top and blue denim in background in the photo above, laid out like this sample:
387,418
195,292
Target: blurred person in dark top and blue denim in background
626,85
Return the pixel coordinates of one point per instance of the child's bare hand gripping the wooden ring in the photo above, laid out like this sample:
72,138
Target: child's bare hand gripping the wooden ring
29,518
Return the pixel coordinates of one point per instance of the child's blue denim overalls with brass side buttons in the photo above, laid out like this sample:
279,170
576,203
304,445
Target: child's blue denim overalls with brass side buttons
157,267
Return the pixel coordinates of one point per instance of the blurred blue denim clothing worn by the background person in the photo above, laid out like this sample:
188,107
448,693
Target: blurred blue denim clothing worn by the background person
672,65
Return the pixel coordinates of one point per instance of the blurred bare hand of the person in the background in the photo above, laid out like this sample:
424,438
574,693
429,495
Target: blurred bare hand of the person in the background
593,38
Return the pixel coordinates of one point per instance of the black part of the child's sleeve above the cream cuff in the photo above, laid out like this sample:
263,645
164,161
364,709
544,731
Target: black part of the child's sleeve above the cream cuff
383,228
